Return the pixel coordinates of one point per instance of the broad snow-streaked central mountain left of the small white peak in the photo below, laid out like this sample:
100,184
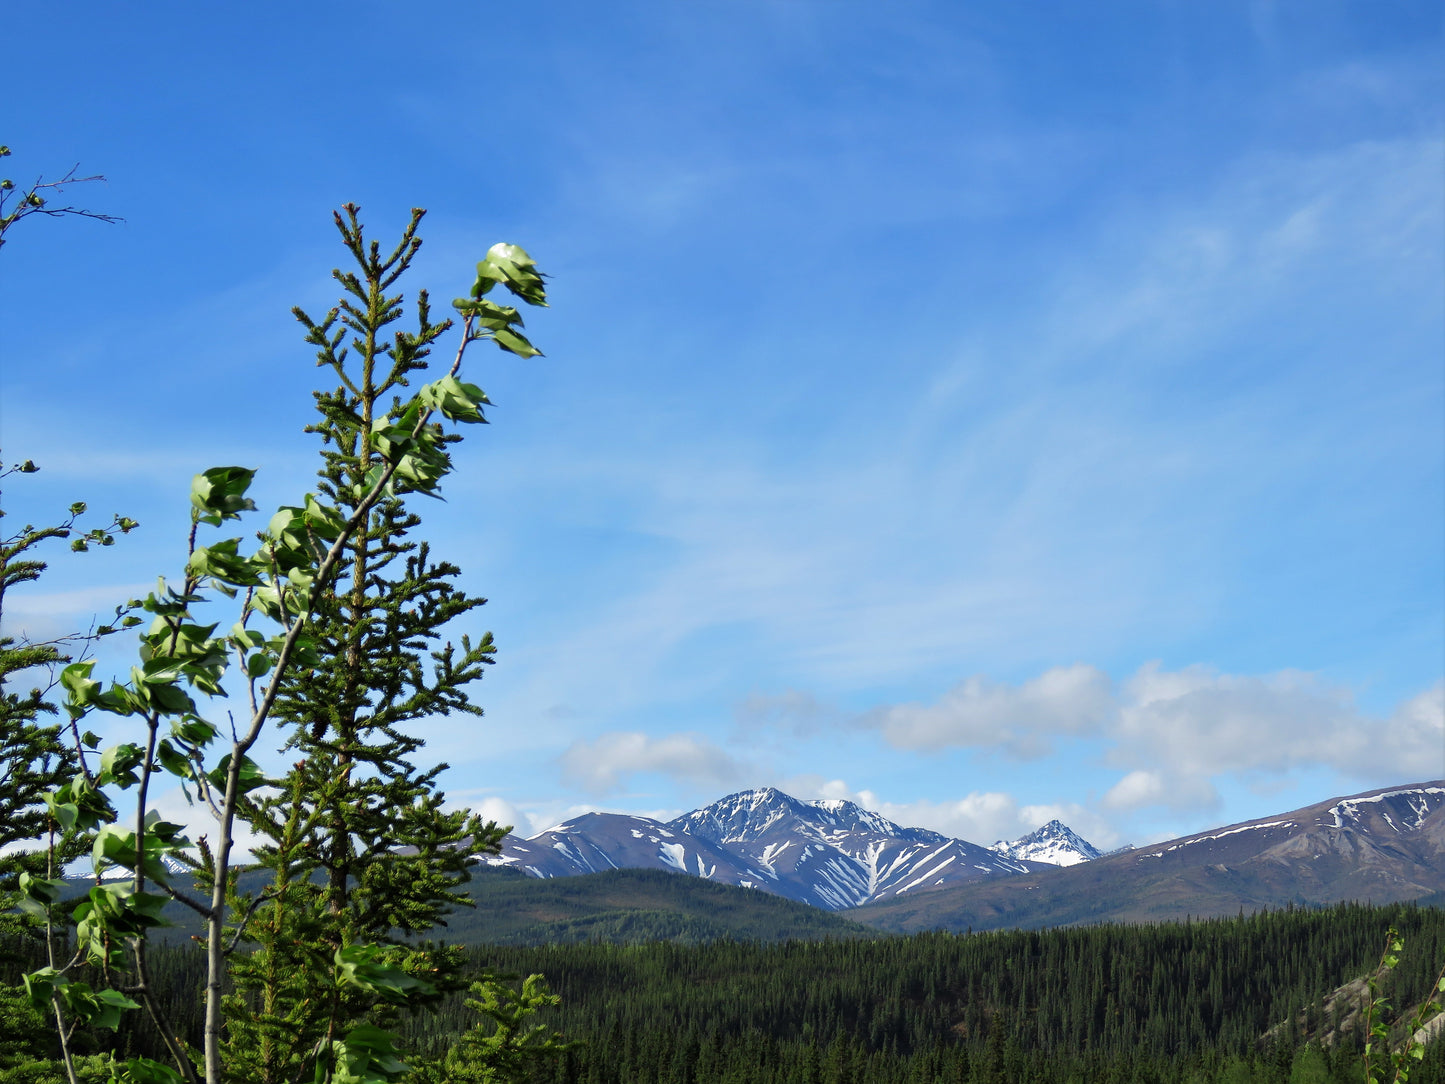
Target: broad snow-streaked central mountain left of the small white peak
829,853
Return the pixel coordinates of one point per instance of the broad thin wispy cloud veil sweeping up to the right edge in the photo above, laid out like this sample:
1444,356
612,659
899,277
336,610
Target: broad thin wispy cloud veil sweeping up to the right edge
1045,496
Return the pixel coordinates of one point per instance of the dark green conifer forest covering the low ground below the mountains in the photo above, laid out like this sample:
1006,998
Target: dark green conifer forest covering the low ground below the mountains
1177,1004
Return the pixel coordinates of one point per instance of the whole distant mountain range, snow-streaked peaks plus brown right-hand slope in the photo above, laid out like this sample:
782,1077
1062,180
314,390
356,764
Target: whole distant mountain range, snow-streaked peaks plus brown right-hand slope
1381,846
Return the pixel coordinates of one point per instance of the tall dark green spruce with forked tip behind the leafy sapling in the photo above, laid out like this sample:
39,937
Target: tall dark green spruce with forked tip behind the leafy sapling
359,848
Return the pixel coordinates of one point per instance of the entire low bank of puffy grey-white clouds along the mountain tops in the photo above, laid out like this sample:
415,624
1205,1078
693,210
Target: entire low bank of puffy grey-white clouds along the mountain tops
1168,738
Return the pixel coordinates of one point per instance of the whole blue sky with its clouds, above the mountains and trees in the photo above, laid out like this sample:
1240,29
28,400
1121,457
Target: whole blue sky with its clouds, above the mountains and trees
986,413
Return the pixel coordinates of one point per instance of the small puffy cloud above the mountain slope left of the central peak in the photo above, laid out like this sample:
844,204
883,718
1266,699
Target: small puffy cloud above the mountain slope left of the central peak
605,765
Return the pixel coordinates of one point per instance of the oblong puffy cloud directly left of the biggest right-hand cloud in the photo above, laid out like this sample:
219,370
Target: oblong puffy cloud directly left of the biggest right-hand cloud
1017,719
